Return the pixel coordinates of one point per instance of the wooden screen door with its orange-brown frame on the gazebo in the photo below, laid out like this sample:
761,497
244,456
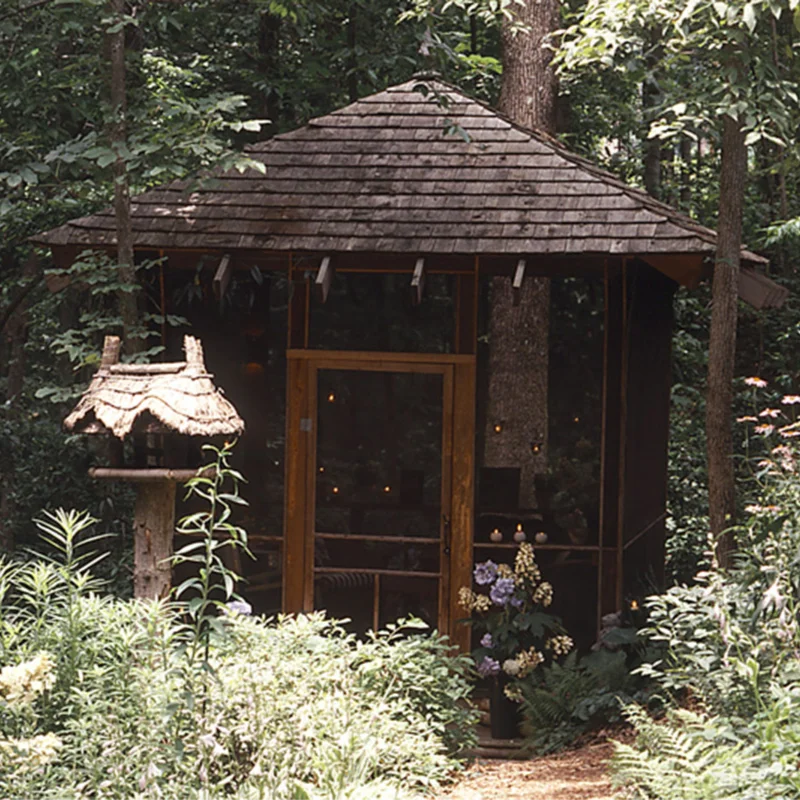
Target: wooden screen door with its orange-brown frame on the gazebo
379,486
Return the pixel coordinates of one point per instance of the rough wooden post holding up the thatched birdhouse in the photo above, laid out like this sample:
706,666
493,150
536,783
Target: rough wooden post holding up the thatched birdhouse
153,526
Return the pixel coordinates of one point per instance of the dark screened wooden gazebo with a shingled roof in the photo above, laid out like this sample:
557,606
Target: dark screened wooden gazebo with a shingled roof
377,228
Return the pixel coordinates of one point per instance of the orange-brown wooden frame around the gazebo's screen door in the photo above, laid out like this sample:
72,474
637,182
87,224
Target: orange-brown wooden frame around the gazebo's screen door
458,462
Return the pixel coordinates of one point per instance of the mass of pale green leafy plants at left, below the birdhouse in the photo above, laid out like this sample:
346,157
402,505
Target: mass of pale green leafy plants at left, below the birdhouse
192,698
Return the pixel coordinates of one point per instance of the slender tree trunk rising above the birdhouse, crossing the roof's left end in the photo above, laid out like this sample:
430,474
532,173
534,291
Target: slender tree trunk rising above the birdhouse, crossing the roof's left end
122,199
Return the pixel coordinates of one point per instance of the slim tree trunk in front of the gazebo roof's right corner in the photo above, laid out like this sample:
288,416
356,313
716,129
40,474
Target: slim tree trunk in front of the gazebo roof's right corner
722,343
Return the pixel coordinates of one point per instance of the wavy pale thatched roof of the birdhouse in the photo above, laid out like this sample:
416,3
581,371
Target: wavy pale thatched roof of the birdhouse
180,396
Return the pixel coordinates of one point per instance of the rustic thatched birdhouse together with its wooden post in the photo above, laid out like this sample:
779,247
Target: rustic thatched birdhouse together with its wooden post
164,410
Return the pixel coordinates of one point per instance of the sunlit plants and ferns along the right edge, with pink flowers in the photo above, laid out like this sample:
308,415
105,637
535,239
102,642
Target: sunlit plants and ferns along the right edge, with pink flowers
733,647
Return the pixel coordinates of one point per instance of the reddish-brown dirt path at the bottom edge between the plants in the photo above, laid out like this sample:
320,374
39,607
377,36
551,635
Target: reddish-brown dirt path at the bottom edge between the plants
575,775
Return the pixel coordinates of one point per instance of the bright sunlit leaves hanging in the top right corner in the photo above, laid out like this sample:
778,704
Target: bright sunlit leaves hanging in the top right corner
714,58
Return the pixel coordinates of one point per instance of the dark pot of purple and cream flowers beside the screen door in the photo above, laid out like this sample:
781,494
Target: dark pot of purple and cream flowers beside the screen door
507,608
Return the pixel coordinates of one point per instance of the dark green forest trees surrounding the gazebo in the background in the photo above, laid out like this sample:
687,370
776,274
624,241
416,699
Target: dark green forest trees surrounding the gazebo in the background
206,78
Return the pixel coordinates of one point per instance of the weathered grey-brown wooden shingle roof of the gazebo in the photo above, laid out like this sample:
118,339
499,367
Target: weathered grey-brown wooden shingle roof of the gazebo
382,175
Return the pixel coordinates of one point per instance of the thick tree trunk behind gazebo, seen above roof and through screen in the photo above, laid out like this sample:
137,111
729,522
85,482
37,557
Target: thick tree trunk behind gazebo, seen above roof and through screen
516,420
